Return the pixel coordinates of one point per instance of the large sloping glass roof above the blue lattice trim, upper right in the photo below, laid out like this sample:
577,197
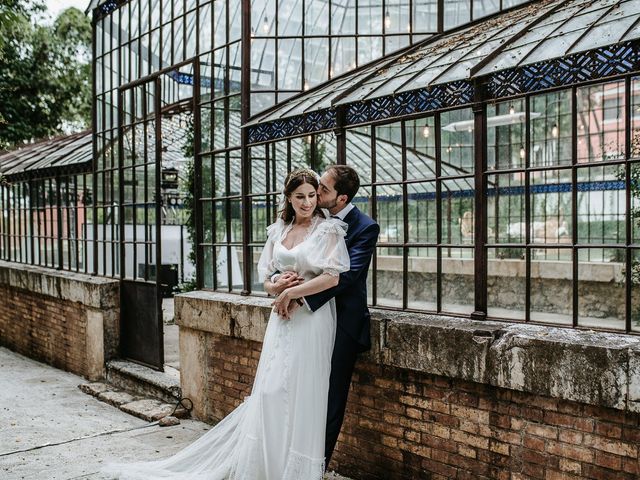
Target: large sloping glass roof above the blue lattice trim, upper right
536,32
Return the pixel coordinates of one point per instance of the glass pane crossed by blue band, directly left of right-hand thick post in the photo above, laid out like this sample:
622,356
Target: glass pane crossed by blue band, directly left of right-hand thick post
457,217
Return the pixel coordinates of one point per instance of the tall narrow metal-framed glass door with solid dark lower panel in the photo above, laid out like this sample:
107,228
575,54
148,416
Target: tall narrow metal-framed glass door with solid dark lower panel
139,160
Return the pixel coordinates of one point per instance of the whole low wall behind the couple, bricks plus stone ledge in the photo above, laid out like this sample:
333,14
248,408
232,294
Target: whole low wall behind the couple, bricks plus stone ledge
411,423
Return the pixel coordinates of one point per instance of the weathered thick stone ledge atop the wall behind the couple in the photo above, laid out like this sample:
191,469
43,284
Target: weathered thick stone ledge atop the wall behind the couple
595,368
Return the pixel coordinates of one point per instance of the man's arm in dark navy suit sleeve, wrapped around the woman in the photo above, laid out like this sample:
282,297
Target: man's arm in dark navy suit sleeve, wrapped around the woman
359,256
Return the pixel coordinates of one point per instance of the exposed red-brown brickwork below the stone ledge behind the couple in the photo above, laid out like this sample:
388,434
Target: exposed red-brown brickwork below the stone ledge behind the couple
407,425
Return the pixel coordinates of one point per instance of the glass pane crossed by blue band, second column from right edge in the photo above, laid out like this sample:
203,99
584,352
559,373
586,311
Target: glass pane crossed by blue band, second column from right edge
601,205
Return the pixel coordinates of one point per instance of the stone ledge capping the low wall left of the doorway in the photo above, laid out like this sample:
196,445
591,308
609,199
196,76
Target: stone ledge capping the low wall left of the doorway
92,291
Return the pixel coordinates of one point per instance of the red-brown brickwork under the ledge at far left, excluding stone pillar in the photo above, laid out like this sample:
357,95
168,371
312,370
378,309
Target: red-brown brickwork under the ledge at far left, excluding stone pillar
43,328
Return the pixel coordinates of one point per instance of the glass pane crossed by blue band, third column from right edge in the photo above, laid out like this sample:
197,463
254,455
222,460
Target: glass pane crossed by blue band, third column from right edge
550,198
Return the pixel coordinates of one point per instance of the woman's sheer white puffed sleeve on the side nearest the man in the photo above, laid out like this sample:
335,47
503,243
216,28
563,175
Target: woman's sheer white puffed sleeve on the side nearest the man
331,255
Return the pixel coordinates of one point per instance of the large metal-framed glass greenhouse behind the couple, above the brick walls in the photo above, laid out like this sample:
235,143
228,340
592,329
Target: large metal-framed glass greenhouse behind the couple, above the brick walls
497,143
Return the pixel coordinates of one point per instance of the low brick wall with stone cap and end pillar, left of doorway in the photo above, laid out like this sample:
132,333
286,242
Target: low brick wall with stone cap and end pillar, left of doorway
68,320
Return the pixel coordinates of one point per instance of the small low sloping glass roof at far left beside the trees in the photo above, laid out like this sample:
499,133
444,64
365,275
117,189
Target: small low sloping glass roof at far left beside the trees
56,153
